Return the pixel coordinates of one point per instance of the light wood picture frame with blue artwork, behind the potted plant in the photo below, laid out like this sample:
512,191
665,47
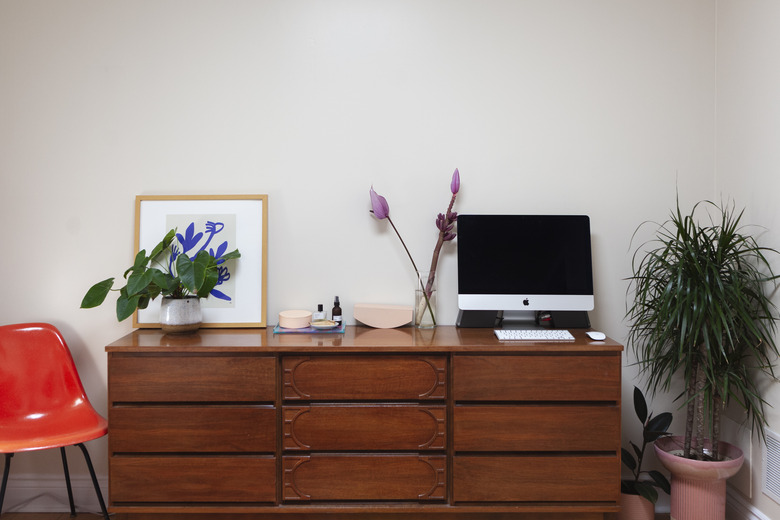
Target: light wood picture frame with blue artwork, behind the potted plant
215,221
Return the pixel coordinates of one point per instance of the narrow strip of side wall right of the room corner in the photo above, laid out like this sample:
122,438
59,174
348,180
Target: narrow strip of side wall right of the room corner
749,155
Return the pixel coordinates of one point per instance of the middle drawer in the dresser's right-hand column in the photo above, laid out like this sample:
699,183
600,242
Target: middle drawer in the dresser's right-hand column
536,428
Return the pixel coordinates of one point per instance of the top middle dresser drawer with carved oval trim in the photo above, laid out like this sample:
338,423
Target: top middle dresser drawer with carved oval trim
364,377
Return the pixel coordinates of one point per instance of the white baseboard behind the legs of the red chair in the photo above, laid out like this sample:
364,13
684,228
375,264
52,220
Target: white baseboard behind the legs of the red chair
49,494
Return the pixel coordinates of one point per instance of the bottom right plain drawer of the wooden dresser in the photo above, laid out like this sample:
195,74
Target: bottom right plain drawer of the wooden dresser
536,479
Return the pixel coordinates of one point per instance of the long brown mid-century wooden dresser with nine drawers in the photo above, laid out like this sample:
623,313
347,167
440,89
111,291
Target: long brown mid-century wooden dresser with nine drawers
370,423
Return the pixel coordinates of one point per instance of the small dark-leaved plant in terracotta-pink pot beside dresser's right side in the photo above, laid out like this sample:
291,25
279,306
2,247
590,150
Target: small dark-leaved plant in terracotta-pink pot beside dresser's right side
640,492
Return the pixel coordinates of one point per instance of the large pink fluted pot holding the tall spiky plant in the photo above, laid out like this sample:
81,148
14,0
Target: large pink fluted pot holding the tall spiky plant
698,487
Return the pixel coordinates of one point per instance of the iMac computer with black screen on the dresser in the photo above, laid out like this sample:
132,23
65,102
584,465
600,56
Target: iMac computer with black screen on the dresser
520,270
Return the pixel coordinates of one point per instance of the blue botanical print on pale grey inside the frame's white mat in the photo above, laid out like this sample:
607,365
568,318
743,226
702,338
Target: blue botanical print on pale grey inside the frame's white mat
214,234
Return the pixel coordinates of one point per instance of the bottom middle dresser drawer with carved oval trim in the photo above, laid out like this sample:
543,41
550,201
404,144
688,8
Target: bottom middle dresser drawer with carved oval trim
401,477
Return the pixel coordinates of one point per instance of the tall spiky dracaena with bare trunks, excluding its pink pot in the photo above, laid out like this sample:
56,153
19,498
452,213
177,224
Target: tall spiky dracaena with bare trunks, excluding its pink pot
701,308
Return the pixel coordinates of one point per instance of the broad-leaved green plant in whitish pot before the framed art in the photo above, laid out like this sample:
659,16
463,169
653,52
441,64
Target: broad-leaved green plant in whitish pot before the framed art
168,272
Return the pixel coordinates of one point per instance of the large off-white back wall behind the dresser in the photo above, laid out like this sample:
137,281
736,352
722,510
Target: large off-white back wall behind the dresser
603,107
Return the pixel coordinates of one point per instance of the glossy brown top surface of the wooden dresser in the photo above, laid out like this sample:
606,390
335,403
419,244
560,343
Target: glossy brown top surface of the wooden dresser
354,339
